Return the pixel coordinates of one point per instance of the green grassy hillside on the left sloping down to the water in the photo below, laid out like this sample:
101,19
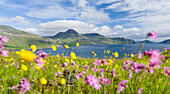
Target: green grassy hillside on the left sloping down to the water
20,39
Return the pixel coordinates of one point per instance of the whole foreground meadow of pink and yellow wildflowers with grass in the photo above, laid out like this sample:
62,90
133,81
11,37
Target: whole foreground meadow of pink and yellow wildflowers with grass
25,72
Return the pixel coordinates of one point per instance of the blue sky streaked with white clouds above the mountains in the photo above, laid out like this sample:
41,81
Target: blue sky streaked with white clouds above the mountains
131,19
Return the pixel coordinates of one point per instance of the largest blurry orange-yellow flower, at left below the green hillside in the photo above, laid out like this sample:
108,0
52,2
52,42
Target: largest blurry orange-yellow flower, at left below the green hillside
27,56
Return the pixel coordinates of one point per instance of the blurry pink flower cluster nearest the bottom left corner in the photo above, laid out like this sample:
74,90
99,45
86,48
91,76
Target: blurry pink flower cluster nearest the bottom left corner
24,86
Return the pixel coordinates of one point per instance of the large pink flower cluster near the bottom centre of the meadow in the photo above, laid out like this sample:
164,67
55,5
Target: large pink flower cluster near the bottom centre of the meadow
93,81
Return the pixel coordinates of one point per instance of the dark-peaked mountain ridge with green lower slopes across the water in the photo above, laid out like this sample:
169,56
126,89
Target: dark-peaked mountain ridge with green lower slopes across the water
71,37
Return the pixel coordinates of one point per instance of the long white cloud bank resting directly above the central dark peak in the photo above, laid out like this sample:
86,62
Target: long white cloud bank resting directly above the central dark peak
52,28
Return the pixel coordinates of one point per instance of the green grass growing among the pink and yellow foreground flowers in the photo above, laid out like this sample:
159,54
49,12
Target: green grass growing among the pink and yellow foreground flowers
10,75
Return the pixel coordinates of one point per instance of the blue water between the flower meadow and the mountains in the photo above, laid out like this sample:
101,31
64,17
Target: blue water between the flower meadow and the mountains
86,51
